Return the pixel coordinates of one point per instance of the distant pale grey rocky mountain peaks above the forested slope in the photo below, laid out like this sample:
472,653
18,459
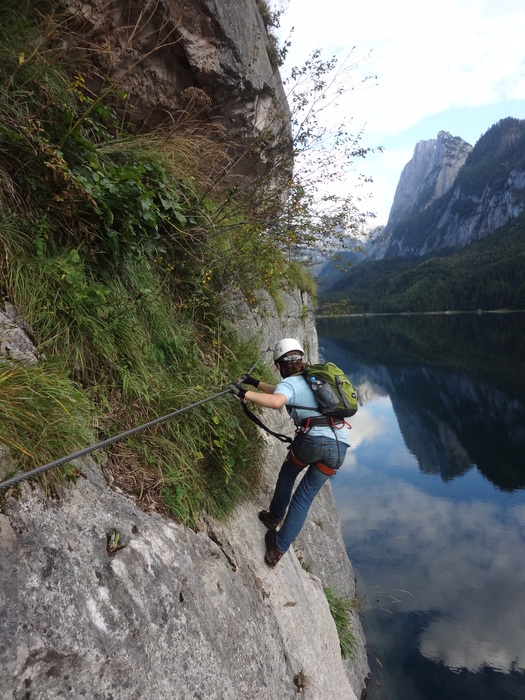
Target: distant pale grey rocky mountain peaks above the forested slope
451,194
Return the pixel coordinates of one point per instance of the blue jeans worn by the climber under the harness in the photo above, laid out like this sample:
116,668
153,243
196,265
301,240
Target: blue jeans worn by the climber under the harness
308,450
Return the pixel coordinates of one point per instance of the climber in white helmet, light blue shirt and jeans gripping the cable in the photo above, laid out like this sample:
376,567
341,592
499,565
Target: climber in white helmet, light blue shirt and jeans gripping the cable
319,447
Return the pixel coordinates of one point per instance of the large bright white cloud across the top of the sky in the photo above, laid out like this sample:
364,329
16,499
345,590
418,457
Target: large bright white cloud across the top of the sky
459,54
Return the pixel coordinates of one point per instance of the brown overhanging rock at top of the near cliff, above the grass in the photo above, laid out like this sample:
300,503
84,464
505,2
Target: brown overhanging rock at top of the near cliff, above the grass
184,63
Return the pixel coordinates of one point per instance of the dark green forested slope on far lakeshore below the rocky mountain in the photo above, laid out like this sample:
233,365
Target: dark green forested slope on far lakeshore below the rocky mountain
488,274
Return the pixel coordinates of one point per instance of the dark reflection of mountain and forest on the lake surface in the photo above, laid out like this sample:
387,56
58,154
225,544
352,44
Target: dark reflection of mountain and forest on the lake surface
450,419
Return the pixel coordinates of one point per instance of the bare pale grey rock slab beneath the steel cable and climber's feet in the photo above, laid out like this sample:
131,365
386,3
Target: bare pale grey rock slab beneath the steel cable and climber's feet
174,613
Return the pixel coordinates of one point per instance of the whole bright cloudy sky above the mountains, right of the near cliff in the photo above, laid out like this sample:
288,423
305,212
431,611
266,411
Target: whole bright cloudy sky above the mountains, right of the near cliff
452,65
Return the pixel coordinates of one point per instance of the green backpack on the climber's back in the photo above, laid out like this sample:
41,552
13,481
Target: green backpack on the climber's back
332,389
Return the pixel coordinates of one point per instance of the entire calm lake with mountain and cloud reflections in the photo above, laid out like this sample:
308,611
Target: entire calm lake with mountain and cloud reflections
432,501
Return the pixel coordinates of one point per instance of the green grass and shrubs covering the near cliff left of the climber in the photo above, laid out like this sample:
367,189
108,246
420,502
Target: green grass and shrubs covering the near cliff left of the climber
117,248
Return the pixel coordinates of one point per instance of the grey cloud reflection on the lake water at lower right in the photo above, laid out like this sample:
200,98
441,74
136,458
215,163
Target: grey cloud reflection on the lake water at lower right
465,560
